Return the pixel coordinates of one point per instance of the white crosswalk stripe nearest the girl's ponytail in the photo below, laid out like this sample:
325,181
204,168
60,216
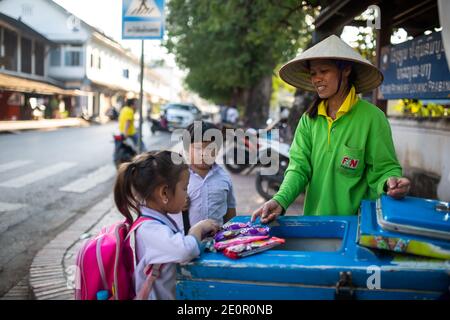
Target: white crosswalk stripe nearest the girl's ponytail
90,181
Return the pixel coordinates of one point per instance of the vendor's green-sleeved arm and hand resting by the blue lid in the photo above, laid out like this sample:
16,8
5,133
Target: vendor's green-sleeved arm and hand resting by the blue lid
382,162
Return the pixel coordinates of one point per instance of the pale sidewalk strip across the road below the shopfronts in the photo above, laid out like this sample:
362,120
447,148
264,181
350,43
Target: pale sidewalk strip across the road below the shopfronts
12,126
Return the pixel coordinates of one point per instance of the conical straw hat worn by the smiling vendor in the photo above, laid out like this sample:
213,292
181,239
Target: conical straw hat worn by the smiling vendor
296,72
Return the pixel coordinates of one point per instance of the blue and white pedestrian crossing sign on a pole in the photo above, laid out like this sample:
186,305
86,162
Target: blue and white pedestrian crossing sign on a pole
143,19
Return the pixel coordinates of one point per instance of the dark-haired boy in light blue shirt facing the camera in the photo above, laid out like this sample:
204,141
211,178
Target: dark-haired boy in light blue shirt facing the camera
210,190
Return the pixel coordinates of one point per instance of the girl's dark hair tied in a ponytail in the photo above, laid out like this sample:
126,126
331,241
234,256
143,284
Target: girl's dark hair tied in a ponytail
136,180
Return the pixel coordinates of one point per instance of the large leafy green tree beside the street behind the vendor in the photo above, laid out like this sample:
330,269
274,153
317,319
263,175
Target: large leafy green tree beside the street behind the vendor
230,48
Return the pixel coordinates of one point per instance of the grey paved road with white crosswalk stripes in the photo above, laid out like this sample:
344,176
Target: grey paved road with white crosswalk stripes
47,180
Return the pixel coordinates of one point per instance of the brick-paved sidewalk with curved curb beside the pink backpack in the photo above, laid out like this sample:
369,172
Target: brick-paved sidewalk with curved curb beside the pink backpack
52,272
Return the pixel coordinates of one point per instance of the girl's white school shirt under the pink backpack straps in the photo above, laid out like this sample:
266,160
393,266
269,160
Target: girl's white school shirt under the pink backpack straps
159,241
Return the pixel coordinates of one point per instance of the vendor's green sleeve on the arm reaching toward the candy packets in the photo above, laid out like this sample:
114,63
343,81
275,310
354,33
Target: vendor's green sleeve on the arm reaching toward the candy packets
298,173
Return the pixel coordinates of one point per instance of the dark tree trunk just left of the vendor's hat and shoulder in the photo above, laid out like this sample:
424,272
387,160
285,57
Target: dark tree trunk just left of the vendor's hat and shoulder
258,103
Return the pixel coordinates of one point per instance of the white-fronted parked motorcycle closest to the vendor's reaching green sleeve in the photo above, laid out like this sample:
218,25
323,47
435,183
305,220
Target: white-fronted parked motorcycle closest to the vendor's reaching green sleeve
268,185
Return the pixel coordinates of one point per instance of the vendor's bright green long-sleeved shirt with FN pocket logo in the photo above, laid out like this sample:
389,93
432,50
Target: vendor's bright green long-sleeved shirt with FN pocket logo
341,165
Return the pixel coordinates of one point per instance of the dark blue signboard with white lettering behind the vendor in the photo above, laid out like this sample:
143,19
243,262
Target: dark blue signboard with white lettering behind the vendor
416,69
